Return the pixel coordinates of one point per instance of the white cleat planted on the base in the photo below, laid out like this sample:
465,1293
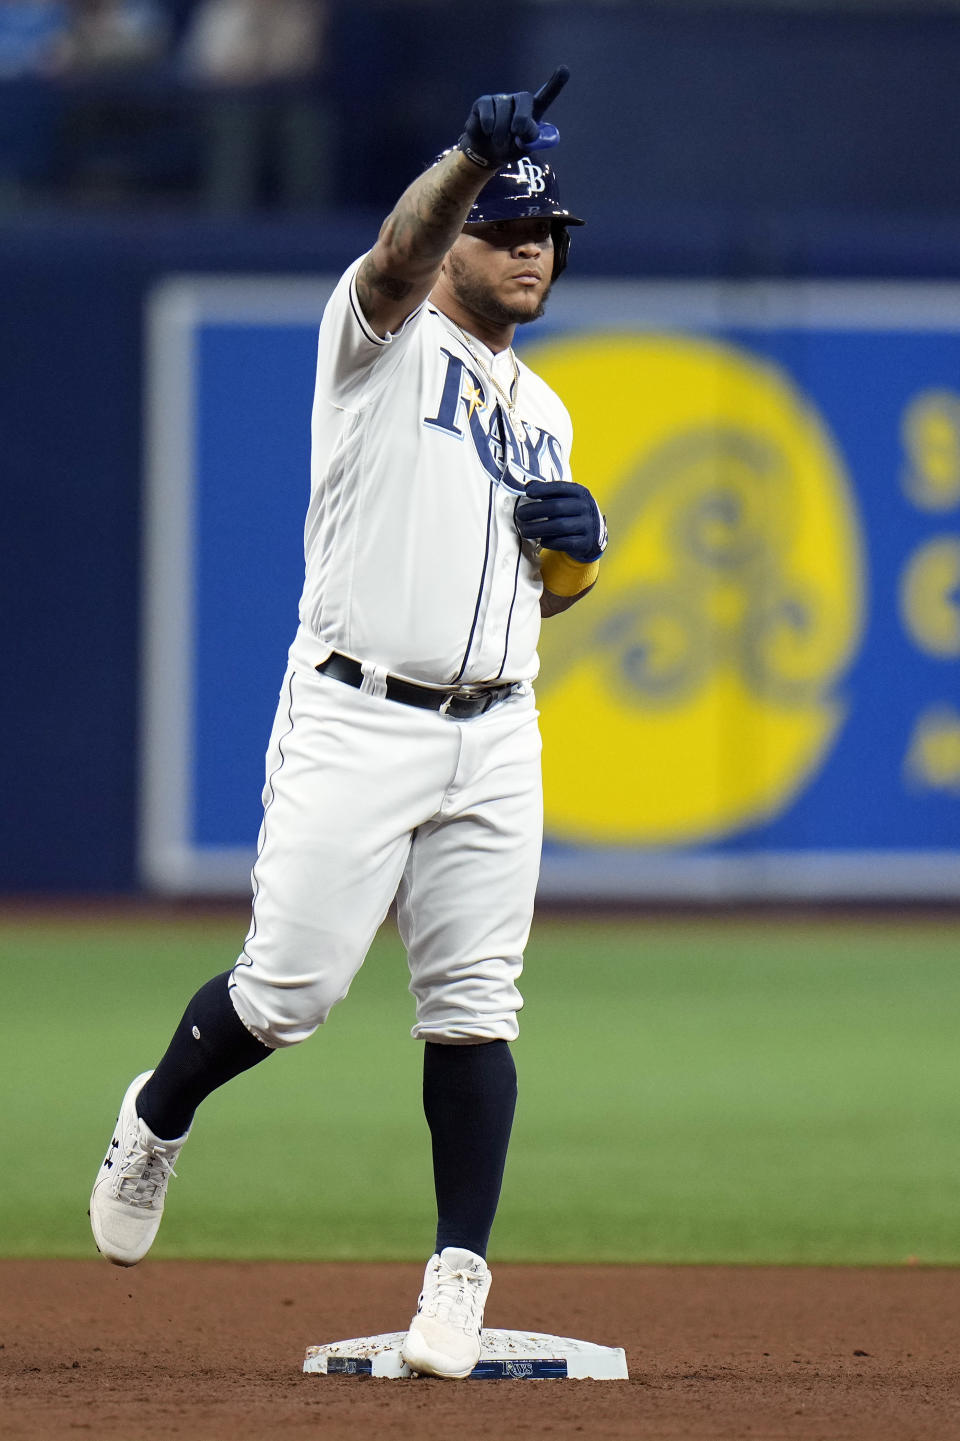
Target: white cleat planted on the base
445,1337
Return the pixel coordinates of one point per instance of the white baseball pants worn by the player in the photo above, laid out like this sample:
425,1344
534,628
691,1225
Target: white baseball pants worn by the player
367,800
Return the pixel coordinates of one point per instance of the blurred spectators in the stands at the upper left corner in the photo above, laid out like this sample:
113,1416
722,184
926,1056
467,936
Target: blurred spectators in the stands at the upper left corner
143,103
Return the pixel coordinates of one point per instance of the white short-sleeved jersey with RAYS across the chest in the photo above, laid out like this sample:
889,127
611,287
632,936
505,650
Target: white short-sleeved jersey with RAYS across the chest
413,561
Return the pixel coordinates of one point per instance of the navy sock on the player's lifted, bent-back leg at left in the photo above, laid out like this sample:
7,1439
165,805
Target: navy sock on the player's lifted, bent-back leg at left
210,1047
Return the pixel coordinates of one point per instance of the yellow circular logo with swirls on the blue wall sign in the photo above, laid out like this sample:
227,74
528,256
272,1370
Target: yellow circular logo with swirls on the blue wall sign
695,691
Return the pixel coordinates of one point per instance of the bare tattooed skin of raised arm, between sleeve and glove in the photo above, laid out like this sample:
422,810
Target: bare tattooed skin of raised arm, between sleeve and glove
399,275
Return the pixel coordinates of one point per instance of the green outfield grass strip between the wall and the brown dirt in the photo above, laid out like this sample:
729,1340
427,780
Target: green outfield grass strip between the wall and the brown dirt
693,1090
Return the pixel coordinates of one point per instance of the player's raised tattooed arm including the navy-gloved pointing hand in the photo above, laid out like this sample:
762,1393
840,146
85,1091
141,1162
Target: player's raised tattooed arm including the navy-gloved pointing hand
399,275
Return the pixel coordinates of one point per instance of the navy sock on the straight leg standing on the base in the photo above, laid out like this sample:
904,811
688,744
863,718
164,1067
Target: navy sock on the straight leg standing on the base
469,1102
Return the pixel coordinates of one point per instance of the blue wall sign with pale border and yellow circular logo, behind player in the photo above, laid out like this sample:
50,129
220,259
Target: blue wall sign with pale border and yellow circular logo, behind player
760,701
